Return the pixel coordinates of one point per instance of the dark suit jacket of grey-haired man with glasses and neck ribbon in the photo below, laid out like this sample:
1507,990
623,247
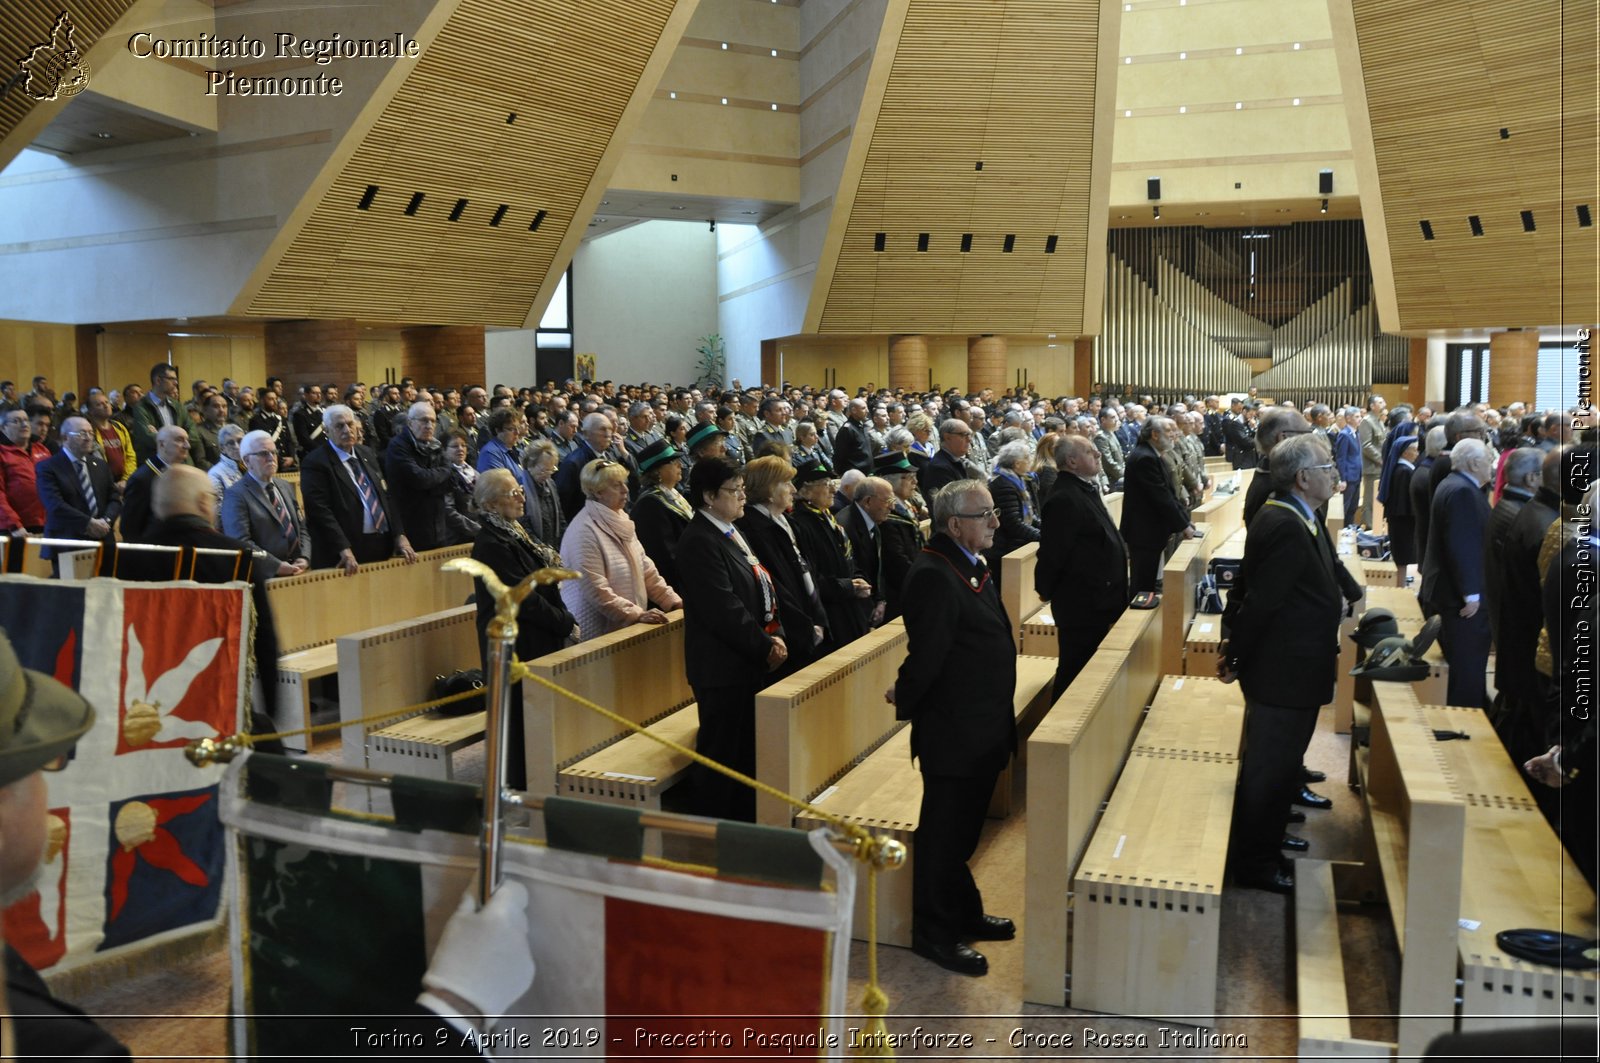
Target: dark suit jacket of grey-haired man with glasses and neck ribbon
959,675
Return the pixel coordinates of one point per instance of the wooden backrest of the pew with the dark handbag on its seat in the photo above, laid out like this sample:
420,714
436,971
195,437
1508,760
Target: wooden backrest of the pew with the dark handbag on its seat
393,667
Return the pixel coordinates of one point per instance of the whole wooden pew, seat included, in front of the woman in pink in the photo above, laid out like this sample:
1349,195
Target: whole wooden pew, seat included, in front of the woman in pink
639,675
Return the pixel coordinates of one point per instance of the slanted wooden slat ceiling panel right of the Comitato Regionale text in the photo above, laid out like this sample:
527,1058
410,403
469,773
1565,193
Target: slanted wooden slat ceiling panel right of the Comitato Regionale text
567,73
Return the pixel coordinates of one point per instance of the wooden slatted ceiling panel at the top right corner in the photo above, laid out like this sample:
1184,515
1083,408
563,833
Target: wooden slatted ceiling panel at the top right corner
1442,81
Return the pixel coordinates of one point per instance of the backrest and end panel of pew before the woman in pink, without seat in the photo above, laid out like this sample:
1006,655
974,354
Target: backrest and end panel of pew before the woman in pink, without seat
638,673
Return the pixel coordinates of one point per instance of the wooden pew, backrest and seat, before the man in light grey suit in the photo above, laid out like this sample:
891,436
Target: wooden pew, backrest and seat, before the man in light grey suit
314,609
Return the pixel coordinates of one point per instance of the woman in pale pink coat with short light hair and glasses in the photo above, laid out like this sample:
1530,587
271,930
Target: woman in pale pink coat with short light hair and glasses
622,585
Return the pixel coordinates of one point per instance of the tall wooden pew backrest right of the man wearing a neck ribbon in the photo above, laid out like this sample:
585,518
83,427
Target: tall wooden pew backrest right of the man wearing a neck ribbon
1074,758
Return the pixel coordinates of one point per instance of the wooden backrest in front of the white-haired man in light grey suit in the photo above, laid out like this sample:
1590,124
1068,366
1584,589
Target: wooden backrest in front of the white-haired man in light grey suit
321,606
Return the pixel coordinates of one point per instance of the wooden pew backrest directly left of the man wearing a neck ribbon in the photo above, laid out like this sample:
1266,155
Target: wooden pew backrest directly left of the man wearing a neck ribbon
812,728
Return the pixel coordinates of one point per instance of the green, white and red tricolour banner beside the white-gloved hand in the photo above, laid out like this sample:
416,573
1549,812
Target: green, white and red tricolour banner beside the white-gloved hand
338,915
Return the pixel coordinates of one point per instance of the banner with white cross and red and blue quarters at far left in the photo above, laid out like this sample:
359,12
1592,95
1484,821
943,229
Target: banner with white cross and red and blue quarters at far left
135,852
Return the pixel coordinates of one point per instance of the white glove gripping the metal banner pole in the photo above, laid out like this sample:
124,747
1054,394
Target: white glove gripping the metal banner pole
482,958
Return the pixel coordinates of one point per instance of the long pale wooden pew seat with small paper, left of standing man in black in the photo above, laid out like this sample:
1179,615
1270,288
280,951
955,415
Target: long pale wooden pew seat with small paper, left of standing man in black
1148,893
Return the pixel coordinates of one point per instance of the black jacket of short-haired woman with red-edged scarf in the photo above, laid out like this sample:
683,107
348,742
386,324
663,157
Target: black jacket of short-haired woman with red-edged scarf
724,643
